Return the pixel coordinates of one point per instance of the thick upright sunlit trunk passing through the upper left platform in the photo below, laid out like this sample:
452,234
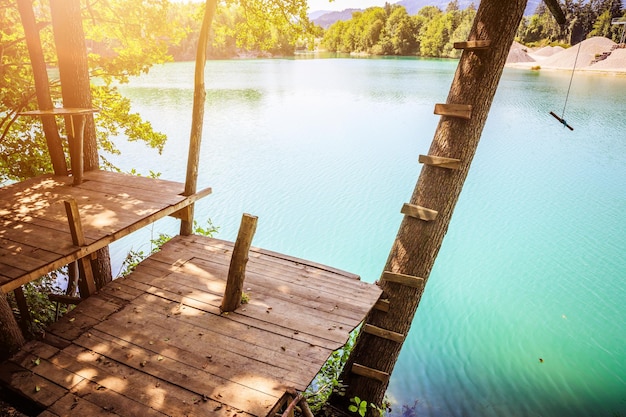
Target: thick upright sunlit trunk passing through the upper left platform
69,38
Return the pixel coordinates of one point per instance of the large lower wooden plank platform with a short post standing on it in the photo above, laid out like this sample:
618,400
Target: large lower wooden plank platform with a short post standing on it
154,343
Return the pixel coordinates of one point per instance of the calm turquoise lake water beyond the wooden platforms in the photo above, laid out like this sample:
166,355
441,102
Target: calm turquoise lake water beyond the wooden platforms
325,152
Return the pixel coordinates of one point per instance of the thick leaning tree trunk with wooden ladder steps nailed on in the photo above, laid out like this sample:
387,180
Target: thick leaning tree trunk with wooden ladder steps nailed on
418,242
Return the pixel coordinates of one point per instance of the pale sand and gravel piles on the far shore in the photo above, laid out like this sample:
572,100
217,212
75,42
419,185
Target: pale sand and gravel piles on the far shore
563,59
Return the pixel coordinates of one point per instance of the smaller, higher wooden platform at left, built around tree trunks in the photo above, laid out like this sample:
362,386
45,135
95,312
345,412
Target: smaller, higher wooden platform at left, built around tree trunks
34,232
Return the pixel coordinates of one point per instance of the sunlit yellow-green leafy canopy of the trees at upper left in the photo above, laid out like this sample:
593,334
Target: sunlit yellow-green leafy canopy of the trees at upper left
124,38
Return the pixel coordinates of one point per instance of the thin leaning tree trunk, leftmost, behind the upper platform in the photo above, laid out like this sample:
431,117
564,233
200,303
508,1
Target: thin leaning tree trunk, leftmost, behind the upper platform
42,86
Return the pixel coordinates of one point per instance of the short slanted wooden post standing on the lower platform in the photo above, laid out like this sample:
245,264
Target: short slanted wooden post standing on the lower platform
237,269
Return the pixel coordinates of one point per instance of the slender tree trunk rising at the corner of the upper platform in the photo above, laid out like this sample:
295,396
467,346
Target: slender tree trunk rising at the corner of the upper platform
197,120
